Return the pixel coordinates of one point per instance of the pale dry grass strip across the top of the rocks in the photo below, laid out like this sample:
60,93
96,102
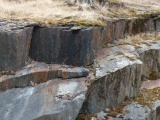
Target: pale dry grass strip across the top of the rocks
63,12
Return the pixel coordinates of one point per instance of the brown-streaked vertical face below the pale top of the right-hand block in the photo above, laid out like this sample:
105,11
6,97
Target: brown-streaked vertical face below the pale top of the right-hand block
113,89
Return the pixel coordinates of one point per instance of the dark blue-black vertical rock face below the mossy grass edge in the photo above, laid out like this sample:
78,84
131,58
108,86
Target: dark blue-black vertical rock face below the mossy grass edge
63,45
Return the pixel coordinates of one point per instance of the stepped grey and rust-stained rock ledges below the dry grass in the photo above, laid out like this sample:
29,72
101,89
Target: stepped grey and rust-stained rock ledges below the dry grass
112,72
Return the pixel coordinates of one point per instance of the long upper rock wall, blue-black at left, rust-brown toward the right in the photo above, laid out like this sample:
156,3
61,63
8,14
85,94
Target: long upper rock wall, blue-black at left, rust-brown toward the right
78,47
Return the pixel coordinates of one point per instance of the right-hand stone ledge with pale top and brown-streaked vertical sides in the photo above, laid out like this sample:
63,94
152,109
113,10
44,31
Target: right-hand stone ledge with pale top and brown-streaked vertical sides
119,73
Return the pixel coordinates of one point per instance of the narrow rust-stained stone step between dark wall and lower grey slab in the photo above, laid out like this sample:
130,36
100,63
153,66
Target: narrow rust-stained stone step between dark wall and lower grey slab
37,73
